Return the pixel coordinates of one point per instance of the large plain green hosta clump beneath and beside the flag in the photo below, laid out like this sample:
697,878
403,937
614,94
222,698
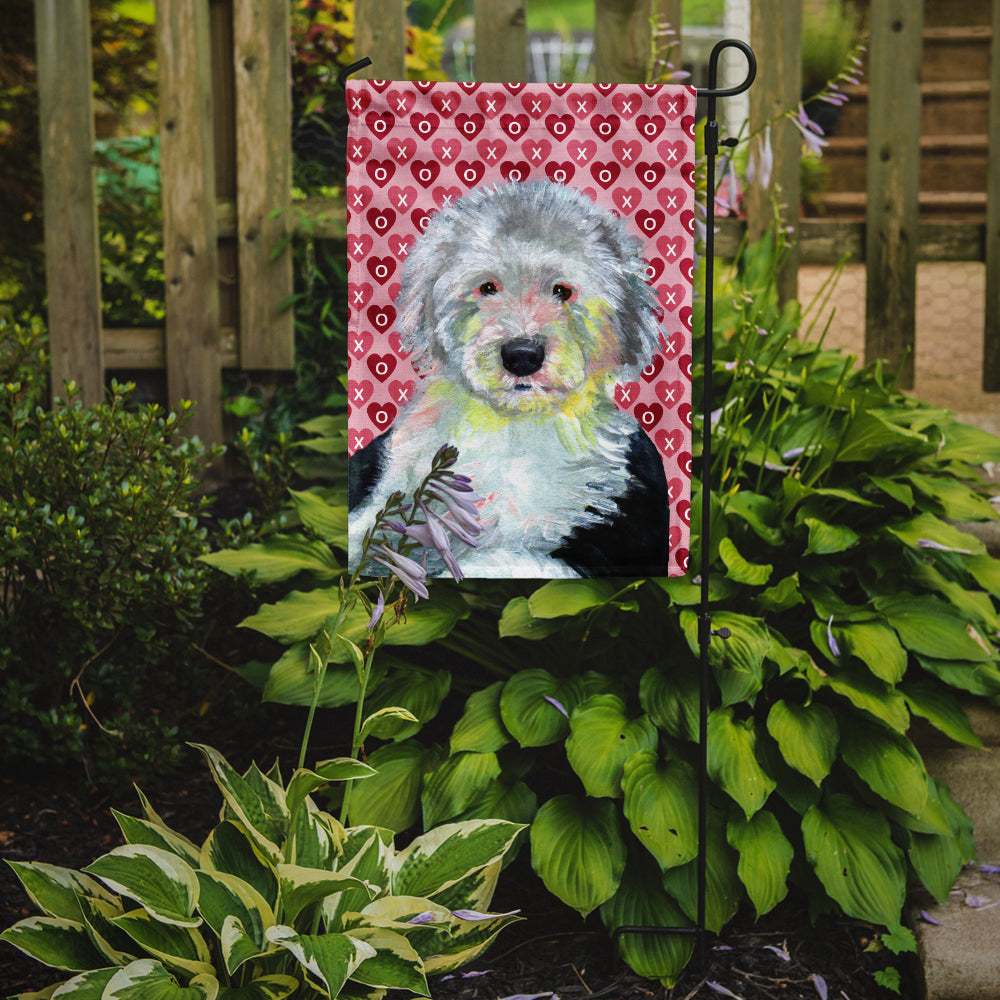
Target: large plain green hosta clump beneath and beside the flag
854,604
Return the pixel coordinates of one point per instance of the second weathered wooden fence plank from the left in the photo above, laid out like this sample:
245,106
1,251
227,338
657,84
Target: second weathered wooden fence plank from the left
190,253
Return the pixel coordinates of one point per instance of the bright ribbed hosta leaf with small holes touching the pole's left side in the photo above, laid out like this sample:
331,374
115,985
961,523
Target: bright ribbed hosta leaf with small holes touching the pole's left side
661,799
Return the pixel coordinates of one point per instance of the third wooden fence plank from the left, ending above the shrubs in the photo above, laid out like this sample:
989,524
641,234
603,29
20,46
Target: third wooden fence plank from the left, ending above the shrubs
262,62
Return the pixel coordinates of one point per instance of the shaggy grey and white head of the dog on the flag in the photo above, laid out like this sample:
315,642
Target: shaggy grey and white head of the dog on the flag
528,296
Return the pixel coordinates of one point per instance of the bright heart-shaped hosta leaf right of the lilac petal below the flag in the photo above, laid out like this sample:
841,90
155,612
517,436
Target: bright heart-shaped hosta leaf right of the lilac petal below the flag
602,738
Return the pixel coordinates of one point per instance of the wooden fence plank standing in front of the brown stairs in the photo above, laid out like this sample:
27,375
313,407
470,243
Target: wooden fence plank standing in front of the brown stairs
893,184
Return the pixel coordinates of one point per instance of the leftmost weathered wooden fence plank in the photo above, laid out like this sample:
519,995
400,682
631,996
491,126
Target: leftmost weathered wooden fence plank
72,257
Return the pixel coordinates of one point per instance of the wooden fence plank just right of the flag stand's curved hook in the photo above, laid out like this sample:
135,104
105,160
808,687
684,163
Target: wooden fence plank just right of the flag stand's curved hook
776,34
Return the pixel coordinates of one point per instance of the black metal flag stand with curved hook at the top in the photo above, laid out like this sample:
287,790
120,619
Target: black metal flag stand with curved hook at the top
705,631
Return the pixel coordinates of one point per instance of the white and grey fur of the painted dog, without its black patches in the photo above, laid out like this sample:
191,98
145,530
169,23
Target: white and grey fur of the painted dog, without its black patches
491,270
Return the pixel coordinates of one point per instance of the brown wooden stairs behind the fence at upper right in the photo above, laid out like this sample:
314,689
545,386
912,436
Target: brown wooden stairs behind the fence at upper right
955,87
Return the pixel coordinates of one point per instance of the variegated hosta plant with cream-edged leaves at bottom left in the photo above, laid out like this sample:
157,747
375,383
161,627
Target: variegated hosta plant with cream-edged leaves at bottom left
279,900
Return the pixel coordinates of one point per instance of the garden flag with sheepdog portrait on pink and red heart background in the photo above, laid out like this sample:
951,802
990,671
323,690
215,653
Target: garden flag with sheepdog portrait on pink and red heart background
520,269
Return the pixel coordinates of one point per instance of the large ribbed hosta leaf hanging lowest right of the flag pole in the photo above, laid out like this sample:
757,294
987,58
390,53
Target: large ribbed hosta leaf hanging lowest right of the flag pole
850,847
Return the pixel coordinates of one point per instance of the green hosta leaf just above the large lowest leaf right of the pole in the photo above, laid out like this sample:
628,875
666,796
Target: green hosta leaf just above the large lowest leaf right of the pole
887,762
